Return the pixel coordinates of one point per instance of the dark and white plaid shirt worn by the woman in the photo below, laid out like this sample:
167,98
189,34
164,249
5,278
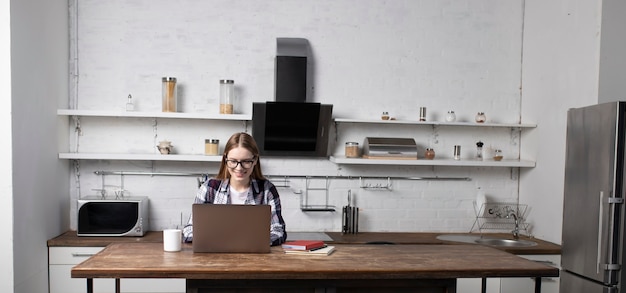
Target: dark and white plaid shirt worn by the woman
216,191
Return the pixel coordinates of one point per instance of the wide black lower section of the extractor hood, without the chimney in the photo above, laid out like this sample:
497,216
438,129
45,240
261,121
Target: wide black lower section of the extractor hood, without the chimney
292,128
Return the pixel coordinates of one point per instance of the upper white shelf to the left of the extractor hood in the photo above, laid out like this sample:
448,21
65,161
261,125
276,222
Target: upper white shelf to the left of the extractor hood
168,115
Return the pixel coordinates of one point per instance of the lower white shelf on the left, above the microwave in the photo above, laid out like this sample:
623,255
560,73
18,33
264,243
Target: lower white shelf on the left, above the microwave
139,157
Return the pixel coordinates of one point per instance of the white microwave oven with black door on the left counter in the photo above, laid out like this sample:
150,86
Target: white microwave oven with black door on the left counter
99,216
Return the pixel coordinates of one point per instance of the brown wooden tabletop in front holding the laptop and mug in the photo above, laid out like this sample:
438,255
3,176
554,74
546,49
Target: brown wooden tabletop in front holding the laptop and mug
148,260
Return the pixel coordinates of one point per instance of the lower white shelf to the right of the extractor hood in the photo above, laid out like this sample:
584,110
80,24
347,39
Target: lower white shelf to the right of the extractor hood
436,162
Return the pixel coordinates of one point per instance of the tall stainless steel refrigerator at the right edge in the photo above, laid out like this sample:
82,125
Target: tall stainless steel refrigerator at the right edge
593,203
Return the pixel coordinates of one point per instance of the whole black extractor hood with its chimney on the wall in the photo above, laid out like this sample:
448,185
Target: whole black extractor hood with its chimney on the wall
292,125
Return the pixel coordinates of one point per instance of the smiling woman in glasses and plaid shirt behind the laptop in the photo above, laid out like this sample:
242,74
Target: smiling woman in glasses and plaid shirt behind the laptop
240,181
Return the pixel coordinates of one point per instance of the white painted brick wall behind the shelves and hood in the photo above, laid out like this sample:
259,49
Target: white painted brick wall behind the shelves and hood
370,56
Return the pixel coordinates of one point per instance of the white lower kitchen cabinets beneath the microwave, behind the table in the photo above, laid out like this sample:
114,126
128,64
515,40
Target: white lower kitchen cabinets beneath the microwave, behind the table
62,259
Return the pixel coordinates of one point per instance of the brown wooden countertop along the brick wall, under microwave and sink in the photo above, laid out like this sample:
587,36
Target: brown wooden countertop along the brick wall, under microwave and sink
70,238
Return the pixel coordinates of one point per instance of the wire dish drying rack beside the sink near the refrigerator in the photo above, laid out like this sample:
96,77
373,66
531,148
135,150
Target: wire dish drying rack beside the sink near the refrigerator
499,216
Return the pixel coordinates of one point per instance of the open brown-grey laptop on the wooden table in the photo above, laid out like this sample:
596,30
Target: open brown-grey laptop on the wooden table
230,228
